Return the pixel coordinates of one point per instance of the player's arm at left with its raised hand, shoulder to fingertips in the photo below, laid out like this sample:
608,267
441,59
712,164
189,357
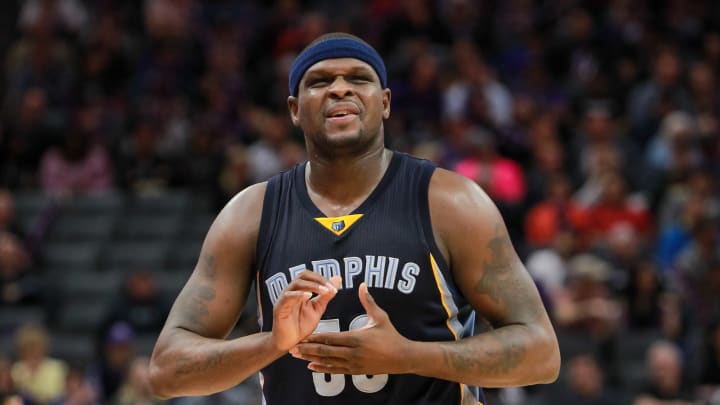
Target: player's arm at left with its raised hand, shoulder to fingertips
192,355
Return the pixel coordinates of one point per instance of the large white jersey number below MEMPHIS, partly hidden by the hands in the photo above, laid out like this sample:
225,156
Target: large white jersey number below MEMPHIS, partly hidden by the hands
329,385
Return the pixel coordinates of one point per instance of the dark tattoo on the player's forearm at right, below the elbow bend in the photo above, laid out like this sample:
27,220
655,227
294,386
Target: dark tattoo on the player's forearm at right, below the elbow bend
500,354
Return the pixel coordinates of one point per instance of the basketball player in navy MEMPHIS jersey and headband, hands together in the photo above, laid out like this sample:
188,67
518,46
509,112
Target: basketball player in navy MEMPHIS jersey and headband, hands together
370,266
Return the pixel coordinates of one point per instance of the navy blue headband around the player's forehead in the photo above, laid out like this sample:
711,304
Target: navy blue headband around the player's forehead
332,48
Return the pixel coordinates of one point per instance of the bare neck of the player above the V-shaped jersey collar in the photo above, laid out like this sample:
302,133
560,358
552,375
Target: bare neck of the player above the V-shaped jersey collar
339,186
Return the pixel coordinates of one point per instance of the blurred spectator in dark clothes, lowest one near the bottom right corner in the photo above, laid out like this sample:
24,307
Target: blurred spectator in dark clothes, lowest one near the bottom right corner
666,377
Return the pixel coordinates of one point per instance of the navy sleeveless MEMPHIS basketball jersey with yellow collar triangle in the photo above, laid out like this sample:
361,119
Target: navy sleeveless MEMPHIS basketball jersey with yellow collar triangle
386,242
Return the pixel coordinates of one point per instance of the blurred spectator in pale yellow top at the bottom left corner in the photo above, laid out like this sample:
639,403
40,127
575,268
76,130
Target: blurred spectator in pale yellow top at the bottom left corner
38,377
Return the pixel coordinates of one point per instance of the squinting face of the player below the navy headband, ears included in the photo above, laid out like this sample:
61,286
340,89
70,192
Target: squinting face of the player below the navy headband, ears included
340,103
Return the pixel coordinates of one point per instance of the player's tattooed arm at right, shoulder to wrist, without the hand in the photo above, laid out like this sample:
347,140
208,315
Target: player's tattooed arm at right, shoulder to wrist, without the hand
521,349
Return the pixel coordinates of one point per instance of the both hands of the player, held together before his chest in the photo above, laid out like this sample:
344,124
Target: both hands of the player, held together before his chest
376,348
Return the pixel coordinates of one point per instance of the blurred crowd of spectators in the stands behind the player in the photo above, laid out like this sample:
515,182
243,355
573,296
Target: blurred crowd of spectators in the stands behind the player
593,125
